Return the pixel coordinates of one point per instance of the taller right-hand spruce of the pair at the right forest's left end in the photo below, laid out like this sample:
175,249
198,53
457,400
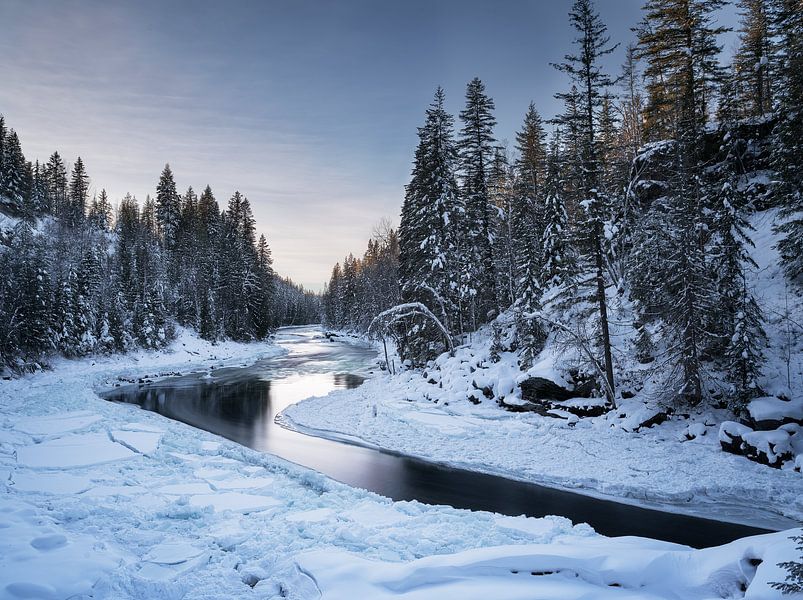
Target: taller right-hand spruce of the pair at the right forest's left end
476,147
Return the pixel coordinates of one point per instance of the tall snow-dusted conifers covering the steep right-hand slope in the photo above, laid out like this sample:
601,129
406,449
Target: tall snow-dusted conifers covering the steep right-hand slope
641,193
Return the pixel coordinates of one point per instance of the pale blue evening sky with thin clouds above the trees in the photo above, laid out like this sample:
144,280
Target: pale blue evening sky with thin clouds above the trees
308,108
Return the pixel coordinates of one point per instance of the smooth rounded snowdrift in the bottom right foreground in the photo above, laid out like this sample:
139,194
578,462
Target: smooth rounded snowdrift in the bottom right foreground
568,568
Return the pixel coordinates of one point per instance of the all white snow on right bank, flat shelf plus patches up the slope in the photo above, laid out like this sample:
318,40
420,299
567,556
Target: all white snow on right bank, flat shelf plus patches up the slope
677,465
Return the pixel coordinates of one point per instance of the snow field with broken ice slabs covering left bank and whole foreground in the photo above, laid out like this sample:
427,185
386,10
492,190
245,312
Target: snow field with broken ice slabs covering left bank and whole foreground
103,500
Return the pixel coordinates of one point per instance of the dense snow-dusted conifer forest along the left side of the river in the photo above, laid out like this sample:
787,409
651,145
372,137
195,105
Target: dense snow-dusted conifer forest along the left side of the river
78,277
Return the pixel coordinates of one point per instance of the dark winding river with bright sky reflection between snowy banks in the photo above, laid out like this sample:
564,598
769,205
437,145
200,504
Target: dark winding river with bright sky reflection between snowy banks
241,404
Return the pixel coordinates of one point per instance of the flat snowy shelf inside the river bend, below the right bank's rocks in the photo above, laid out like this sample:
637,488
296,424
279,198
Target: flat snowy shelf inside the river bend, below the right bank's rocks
654,467
